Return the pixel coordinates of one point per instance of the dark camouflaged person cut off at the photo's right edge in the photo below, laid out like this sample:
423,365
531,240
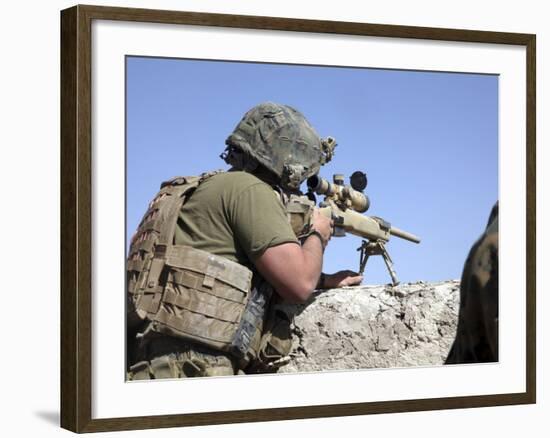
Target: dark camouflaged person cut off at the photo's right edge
477,332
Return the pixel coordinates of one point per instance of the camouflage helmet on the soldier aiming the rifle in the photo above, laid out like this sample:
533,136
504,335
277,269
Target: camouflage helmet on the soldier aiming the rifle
282,140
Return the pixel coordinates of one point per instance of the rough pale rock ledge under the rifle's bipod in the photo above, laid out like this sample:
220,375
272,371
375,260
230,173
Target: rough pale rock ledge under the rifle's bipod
374,327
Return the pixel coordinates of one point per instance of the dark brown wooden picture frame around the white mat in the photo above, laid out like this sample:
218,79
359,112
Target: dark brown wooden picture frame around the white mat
76,217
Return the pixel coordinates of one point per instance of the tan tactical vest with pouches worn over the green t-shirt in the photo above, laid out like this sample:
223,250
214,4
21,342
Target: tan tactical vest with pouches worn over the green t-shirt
200,297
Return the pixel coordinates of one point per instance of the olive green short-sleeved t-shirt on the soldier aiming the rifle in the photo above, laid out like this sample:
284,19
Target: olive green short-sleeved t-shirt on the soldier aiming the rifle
234,215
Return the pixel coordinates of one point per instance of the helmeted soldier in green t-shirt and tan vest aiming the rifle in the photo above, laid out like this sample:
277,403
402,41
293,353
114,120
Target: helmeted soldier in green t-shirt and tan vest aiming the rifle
215,255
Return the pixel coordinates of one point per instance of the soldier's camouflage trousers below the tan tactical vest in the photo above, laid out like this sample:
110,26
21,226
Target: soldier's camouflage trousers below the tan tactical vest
167,358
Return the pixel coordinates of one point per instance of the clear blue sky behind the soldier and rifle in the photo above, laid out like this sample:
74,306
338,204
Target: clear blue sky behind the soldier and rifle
428,142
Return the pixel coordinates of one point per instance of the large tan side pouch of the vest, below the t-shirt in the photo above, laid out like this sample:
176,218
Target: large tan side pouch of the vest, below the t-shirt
204,297
